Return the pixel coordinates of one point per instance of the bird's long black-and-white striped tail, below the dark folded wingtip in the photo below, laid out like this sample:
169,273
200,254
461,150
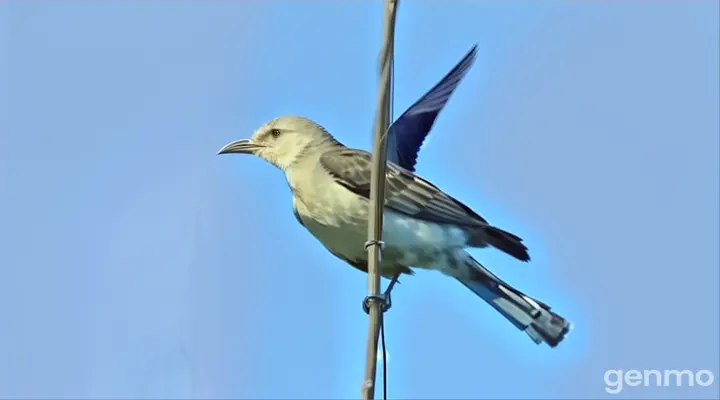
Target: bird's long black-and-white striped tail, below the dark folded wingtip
528,314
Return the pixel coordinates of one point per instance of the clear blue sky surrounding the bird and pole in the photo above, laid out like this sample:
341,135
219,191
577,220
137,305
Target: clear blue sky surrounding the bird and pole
136,263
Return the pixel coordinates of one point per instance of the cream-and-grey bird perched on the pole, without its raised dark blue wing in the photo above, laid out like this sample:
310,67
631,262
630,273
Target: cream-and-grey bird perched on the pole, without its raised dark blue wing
424,227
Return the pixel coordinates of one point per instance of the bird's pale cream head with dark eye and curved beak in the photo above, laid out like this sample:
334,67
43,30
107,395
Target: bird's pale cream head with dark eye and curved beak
282,141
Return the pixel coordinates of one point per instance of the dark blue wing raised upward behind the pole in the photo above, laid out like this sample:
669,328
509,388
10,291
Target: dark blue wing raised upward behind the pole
409,131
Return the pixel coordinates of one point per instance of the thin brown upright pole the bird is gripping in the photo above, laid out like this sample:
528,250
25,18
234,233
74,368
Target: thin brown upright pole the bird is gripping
377,199
